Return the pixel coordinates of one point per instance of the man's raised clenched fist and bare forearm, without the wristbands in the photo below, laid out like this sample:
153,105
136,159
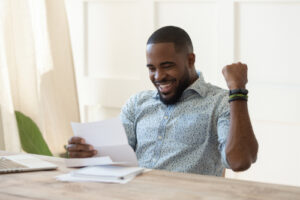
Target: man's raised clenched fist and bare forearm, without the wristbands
241,147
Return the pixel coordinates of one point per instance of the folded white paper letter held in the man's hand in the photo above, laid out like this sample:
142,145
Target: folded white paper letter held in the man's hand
108,137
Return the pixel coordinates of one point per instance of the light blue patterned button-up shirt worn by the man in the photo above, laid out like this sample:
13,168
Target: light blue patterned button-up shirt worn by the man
189,136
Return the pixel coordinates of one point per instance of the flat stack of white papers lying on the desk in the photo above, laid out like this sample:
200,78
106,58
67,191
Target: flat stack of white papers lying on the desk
111,174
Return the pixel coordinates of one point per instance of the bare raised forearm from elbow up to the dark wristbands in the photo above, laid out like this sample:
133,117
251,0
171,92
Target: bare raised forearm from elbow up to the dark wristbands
241,147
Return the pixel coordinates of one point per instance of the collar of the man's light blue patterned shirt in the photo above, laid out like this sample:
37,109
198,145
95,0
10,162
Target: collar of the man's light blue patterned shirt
198,86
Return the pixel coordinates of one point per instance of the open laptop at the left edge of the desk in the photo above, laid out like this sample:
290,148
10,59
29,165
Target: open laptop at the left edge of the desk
23,163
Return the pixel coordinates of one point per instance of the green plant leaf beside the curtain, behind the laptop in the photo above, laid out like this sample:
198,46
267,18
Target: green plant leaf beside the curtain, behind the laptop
31,137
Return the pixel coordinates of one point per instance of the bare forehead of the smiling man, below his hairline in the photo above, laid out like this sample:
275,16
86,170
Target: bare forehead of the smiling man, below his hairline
161,50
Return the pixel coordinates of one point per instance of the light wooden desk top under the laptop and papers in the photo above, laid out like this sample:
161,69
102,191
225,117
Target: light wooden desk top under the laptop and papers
152,185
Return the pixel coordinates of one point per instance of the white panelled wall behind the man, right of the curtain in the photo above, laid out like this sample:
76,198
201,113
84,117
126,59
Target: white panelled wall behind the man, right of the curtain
109,37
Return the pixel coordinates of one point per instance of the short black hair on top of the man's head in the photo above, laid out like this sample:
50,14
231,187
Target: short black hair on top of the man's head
173,34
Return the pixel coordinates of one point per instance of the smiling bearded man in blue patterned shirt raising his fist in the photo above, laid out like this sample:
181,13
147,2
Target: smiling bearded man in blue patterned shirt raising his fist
187,125
